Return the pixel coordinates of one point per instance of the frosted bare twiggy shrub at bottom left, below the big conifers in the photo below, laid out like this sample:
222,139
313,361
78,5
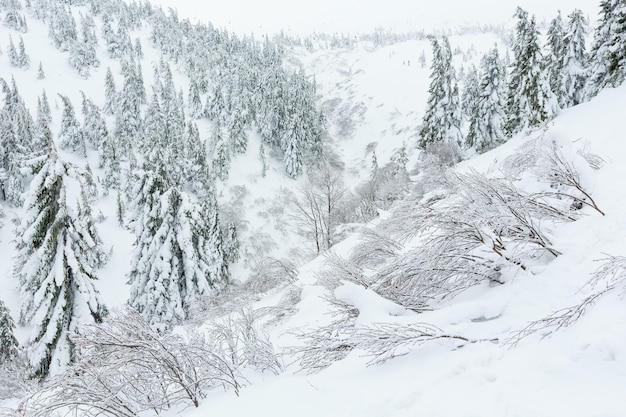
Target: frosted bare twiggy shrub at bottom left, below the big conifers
127,368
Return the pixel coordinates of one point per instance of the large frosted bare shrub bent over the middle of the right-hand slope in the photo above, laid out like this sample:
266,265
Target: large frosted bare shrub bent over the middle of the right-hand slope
465,238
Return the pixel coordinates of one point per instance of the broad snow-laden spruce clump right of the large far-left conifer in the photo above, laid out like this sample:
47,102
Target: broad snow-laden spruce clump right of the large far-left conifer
178,253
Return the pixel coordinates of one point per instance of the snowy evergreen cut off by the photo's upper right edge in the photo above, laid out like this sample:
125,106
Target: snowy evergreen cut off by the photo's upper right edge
608,50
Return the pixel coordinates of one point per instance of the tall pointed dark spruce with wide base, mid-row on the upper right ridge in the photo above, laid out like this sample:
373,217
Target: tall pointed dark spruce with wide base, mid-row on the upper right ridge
530,100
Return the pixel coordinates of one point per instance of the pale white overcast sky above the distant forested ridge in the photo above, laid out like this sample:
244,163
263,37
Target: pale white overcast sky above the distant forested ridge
352,17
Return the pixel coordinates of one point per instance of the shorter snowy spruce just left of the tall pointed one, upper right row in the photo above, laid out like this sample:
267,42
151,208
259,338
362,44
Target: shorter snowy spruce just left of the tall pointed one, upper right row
486,129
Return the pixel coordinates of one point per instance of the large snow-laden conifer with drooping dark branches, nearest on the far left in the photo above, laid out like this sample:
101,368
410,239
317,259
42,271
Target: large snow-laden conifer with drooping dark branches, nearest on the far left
58,253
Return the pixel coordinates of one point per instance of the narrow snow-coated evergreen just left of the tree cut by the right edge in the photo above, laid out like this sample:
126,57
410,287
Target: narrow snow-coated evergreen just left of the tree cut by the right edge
575,60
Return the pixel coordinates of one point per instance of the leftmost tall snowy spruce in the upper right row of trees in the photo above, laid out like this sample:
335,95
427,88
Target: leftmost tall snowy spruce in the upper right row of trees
441,124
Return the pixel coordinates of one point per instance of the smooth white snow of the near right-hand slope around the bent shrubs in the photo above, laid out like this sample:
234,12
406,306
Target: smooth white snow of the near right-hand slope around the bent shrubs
578,371
